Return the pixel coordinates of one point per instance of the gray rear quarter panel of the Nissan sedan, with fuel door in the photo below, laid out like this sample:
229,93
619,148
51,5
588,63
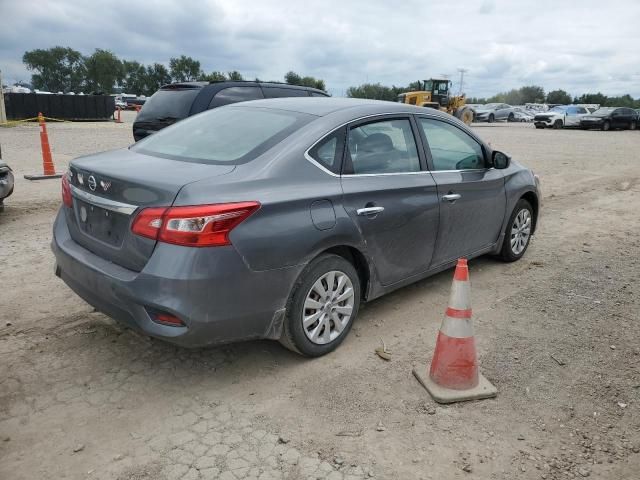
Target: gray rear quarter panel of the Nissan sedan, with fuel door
282,233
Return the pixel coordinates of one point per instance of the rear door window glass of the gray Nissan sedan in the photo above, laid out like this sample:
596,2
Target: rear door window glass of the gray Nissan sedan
386,146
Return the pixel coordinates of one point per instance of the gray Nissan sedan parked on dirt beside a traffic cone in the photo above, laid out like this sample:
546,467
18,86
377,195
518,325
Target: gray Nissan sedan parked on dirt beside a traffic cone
277,218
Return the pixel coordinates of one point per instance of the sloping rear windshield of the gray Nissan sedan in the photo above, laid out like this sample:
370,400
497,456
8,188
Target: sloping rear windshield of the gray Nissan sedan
223,135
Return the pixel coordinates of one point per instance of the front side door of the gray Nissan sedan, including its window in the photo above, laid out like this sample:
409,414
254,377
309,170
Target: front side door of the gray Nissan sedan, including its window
471,195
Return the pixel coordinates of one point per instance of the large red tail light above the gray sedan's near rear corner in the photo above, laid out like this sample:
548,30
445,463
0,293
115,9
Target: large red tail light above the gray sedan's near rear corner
194,226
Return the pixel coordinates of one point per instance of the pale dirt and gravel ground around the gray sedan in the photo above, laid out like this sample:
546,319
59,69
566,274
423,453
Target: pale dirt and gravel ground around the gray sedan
557,332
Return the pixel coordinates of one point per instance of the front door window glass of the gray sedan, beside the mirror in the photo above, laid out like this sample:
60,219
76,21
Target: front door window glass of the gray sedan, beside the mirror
451,148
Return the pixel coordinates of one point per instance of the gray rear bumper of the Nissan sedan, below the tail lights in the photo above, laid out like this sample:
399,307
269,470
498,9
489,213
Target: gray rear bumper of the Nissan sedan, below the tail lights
211,290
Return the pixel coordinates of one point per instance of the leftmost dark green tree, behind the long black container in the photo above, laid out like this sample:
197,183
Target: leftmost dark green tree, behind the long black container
56,69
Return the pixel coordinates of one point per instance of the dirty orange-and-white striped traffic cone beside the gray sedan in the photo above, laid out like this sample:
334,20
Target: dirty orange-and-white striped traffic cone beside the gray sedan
454,376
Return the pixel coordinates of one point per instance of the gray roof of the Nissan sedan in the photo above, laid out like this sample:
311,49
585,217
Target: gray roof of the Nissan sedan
322,106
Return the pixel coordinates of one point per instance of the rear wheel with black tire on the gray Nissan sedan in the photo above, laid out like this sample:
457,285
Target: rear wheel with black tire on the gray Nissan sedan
322,307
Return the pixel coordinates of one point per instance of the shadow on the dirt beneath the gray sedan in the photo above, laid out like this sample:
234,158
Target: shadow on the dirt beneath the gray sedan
109,347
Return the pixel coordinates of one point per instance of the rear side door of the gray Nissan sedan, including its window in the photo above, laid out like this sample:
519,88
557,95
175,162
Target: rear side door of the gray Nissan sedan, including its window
391,196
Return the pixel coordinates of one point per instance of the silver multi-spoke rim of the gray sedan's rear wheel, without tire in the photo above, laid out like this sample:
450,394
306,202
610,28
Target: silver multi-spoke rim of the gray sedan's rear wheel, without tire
328,307
